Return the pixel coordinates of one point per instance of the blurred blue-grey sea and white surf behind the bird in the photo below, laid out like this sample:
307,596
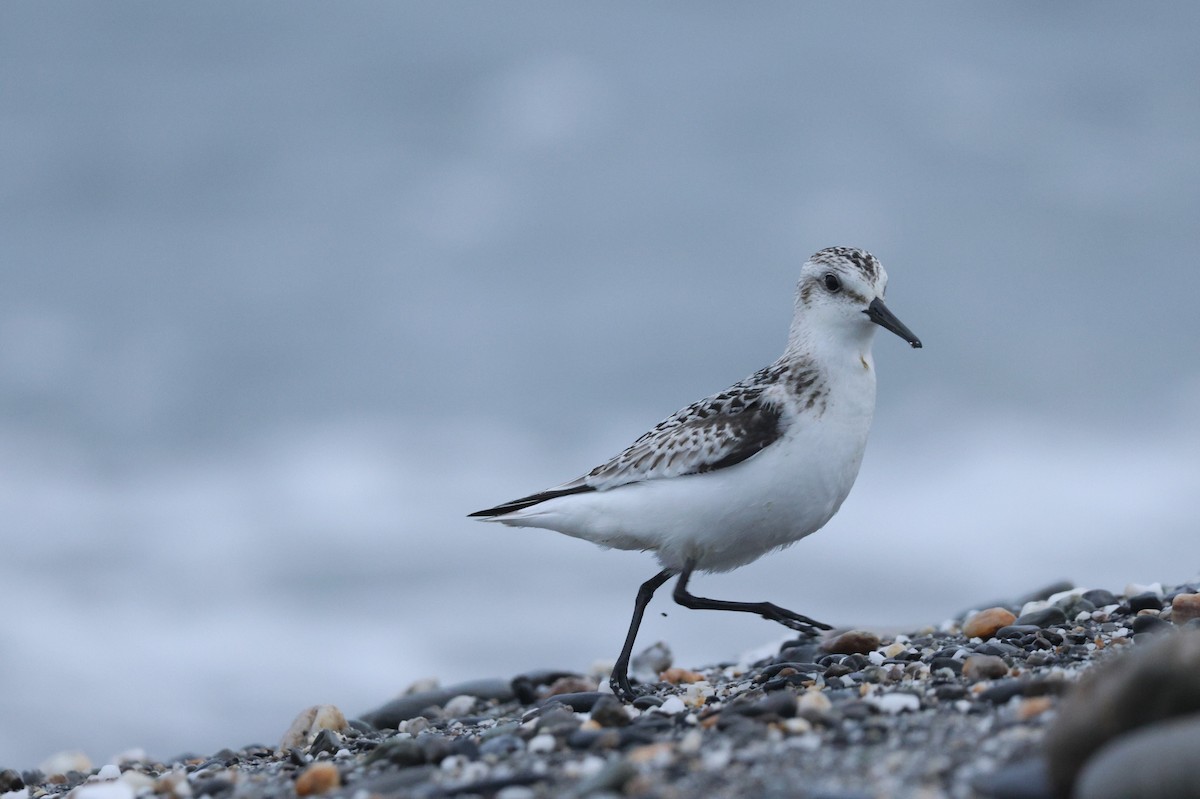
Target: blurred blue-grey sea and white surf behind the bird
287,290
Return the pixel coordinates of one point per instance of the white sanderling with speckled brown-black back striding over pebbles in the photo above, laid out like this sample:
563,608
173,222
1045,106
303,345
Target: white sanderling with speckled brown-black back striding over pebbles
745,472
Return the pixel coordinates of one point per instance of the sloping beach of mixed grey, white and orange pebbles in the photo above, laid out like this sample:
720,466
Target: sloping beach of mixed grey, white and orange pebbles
1066,692
